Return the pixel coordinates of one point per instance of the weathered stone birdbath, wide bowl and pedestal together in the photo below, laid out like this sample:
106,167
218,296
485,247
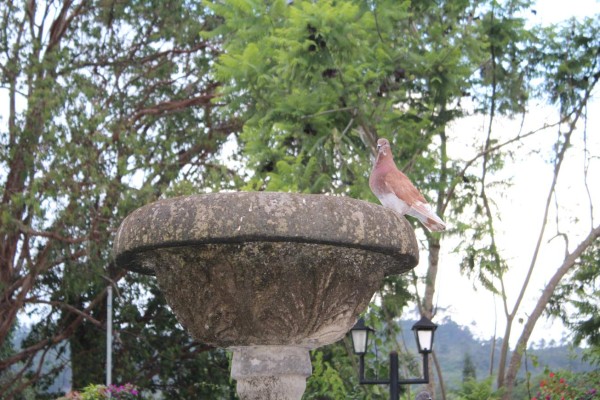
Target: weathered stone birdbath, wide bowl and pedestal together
269,276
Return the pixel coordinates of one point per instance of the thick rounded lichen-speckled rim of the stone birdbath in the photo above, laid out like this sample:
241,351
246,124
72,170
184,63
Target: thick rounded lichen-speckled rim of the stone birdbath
240,217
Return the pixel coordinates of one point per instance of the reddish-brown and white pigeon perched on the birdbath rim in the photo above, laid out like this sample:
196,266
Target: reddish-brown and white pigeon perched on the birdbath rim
394,190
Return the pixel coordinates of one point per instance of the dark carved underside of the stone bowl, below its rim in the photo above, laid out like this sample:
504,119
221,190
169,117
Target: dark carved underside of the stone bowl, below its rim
260,293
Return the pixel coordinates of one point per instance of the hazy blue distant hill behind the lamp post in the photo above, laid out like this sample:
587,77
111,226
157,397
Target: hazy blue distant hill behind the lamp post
453,342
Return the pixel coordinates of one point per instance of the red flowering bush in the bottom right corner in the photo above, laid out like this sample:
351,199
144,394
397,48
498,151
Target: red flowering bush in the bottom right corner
556,387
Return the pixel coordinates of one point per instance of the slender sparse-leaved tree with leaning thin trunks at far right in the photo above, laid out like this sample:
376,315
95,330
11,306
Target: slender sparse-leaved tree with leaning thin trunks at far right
568,84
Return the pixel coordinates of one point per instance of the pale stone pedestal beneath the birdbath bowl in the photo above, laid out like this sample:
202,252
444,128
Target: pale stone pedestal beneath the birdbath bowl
270,372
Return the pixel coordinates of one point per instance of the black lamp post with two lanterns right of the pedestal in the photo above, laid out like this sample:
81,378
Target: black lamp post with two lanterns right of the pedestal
423,329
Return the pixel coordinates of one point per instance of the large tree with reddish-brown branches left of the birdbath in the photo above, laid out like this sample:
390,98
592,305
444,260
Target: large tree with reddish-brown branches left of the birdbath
108,108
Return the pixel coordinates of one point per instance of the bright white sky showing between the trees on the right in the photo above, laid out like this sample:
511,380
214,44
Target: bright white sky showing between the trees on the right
521,207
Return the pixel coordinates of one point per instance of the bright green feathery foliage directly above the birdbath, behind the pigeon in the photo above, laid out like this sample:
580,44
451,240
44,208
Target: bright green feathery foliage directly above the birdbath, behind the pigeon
317,82
